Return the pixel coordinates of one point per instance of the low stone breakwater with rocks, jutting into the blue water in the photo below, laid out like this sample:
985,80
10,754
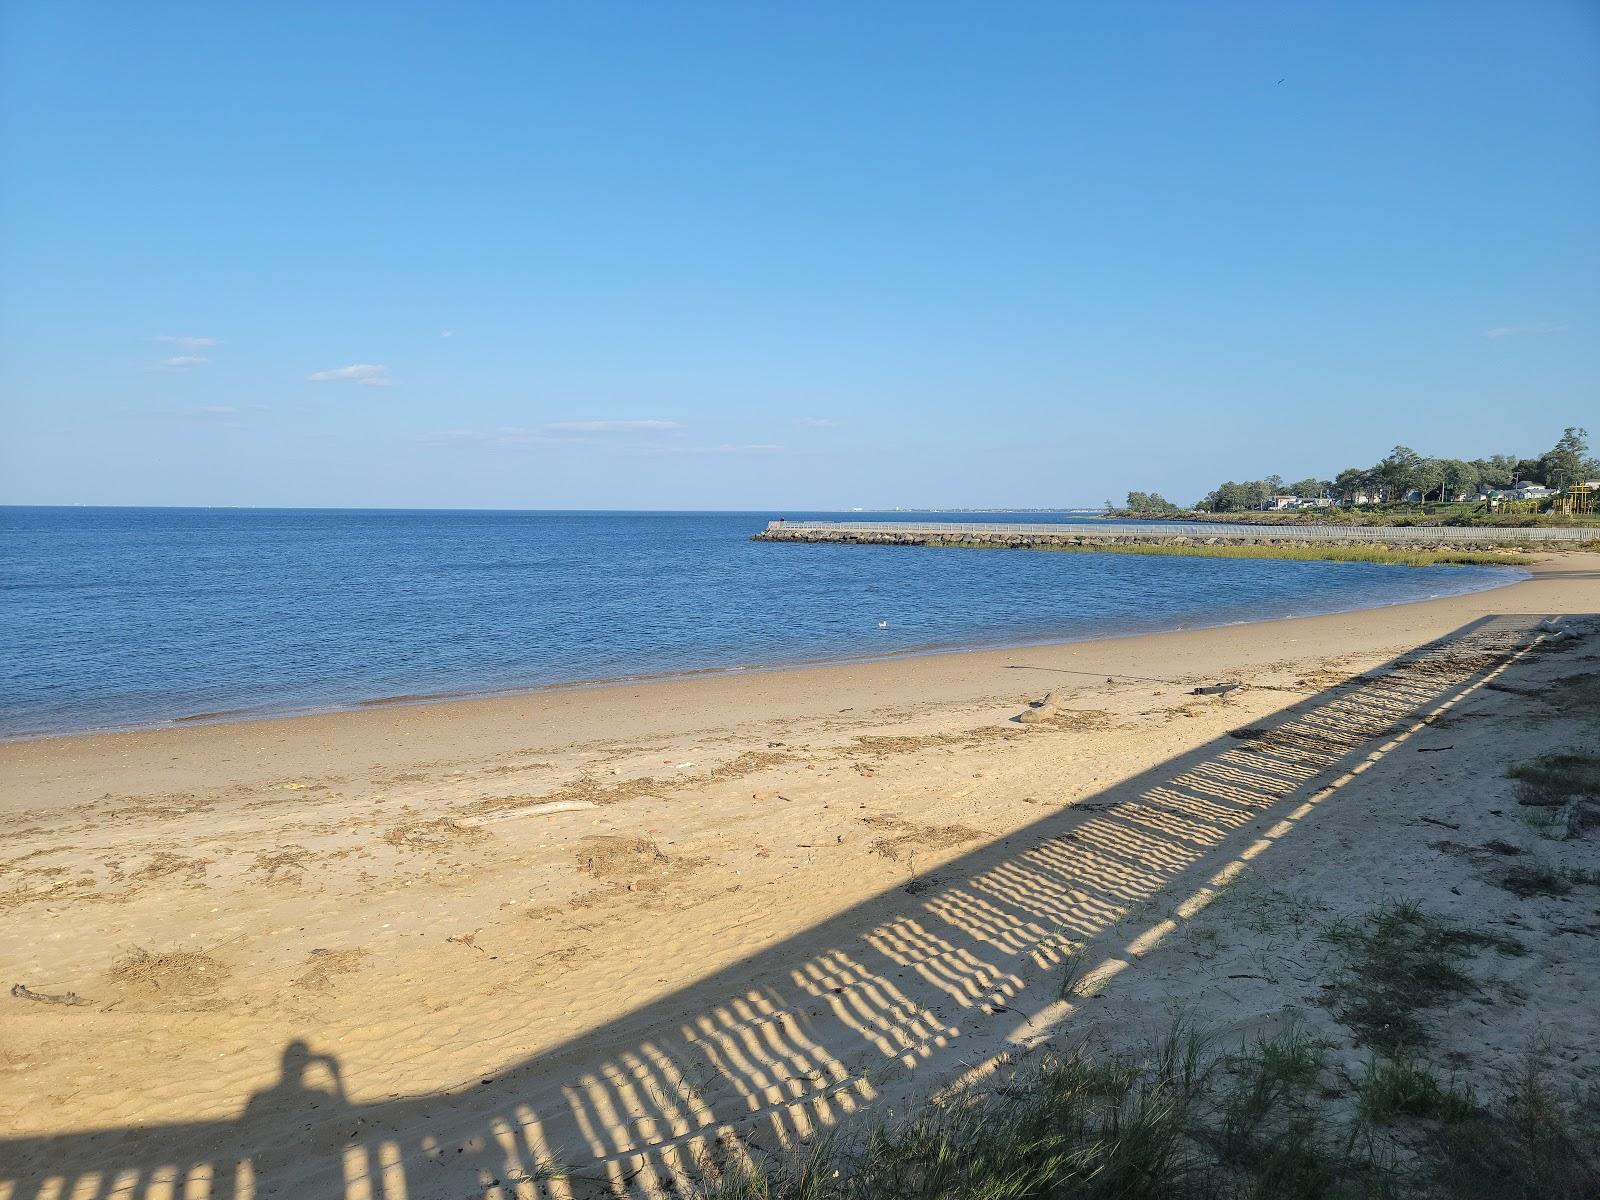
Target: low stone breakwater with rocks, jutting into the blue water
1454,538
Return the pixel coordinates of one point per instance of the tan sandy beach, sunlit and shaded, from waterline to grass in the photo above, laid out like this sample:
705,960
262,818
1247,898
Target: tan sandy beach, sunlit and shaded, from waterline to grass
415,951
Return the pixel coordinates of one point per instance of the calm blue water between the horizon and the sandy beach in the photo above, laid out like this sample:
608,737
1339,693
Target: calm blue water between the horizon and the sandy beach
137,617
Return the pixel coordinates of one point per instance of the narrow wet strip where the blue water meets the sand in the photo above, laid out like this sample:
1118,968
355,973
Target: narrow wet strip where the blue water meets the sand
460,697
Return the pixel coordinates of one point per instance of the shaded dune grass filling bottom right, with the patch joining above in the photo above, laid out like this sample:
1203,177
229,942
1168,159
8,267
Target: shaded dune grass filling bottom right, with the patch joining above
1271,1119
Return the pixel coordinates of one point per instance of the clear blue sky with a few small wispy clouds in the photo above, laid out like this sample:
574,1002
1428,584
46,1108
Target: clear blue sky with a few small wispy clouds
783,257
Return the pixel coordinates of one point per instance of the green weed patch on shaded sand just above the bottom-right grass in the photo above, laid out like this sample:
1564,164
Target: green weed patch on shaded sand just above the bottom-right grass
1399,962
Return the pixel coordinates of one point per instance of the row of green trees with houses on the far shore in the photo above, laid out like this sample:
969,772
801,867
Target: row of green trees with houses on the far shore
1399,474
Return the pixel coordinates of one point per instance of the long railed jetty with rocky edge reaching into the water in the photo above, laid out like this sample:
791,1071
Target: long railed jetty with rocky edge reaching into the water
1046,537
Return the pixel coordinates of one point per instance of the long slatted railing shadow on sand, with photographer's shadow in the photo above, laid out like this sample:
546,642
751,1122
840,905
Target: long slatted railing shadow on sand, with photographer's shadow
822,1025
